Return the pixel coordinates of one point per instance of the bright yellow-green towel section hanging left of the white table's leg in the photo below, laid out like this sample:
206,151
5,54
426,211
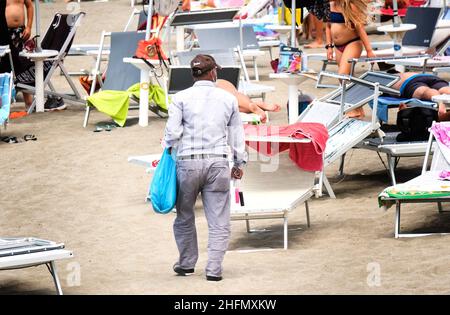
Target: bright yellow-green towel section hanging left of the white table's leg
113,103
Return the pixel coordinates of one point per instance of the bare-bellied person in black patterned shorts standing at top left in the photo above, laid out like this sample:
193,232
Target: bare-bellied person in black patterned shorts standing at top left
19,32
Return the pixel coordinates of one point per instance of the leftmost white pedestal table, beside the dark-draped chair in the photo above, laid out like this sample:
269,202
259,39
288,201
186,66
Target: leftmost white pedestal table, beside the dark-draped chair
38,58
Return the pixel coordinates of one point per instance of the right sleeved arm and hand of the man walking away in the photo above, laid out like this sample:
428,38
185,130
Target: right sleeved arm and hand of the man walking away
236,138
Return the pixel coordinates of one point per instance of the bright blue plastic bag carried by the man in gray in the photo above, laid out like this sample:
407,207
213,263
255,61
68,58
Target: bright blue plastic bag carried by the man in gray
163,188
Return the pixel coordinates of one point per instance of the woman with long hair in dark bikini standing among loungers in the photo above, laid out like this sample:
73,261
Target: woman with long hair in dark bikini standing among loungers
345,32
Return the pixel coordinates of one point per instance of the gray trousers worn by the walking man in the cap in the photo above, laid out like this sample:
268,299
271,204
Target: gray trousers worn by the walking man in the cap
211,177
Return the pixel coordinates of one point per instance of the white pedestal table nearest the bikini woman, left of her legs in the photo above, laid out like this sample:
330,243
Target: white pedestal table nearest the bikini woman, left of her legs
293,81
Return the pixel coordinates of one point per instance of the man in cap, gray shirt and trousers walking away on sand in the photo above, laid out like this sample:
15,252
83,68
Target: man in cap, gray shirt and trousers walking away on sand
203,121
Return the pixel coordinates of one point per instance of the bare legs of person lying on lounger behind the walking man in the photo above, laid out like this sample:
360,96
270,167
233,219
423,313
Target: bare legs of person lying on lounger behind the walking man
246,105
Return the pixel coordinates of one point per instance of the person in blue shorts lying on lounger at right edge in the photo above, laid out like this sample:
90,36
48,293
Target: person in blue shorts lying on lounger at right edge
423,87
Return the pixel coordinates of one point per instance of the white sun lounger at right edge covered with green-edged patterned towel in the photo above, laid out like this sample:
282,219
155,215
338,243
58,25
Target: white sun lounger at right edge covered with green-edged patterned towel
422,186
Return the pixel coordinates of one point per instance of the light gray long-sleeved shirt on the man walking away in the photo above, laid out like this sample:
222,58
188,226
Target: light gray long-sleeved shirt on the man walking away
204,119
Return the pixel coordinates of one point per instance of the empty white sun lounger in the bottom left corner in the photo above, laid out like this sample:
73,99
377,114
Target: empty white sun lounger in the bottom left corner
17,253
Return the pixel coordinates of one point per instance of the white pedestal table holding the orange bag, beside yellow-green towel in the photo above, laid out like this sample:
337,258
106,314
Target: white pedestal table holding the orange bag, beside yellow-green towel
145,83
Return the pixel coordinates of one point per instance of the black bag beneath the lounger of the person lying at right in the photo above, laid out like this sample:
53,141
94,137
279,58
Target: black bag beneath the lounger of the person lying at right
413,123
